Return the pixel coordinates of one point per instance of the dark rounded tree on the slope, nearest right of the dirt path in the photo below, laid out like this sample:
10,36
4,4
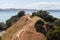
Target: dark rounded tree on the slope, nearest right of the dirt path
39,26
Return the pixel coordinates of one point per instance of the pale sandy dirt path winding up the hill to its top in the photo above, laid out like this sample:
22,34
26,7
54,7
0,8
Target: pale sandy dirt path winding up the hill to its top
22,30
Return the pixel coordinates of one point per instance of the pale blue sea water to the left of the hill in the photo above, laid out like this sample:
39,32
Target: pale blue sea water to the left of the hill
6,15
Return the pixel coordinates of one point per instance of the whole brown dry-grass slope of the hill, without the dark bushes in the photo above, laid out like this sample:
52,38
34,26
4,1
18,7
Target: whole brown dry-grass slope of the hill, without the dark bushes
24,30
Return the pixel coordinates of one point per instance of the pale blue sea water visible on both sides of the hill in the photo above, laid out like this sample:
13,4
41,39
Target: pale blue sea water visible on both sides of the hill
6,15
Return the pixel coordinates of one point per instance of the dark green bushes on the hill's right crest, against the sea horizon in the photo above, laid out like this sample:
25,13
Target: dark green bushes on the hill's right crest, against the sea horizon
45,15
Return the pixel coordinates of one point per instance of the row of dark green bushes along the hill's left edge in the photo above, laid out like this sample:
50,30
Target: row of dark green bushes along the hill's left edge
15,18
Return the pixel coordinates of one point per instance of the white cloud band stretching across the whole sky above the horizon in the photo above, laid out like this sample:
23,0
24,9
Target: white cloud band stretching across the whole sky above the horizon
39,5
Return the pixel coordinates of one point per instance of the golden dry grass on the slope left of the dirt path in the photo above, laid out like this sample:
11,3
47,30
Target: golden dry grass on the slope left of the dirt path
13,29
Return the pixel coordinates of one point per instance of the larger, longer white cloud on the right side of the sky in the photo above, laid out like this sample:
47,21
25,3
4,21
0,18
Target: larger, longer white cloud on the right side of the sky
44,5
